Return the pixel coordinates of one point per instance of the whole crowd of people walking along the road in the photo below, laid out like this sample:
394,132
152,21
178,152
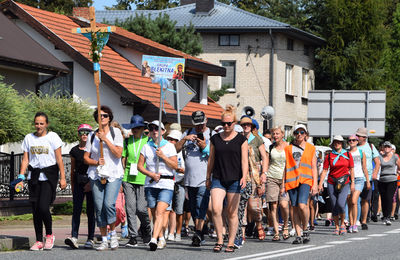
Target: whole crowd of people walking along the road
229,181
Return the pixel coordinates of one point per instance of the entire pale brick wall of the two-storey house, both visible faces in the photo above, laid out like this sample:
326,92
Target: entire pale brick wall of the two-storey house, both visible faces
252,74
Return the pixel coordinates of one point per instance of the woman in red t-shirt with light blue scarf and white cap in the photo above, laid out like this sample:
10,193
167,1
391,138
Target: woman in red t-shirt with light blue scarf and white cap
341,173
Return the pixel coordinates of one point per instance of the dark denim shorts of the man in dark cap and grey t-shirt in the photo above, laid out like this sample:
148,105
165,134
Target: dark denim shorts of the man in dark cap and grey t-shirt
198,201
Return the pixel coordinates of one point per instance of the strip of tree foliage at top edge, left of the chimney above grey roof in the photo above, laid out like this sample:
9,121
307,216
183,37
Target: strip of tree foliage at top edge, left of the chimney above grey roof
144,4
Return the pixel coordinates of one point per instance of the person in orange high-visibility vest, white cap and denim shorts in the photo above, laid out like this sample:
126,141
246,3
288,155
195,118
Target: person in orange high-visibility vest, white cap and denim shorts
300,177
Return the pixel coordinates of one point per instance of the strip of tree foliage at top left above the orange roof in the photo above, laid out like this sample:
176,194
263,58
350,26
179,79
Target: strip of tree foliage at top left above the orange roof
58,6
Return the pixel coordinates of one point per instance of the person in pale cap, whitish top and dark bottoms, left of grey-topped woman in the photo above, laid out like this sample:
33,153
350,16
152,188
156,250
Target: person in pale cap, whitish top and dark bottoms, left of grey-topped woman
371,154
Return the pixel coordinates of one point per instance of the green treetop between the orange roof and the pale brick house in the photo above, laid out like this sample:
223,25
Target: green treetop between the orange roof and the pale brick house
162,30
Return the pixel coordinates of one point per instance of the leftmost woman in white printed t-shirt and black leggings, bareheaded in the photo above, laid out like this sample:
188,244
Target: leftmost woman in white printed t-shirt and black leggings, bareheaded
42,157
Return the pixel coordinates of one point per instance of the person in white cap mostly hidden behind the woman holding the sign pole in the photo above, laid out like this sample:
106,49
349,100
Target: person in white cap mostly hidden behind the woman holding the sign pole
176,215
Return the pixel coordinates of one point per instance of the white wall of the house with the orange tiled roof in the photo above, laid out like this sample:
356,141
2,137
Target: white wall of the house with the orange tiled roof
83,84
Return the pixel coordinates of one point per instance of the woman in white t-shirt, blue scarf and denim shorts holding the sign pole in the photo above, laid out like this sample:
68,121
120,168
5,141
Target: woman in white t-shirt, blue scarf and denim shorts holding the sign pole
159,185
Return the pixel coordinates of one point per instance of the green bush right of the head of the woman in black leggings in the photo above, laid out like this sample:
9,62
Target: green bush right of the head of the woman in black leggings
65,114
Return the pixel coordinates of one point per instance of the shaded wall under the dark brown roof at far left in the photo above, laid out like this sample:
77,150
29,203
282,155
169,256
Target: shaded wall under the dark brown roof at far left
22,80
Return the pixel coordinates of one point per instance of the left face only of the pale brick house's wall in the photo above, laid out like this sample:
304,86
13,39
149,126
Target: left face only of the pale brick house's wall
252,69
